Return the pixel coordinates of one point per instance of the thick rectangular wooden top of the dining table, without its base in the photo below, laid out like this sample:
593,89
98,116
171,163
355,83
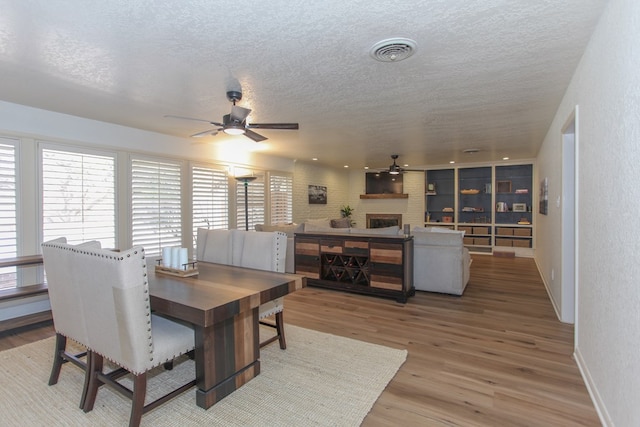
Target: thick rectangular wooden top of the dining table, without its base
218,292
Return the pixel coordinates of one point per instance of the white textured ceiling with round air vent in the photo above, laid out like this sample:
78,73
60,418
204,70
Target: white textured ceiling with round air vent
487,74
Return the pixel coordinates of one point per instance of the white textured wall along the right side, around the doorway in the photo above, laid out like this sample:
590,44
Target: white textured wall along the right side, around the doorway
606,88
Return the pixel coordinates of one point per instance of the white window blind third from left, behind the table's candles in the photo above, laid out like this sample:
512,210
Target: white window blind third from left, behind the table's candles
155,205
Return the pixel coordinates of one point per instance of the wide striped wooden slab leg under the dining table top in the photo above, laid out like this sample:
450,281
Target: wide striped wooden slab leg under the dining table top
226,356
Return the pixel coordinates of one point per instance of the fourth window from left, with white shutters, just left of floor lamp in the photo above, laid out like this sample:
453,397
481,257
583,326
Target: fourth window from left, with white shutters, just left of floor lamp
210,198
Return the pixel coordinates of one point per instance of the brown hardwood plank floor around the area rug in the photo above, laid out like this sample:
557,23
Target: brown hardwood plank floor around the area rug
497,356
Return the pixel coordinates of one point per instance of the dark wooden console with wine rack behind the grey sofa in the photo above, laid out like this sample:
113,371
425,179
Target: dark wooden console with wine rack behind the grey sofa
368,264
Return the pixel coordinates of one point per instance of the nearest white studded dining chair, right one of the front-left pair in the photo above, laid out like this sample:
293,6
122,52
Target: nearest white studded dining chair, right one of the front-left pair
113,292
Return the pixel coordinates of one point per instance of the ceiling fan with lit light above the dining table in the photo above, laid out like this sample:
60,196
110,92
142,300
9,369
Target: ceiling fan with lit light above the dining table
235,123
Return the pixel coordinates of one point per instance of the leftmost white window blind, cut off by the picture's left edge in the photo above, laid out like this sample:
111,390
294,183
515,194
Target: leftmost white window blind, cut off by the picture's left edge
8,226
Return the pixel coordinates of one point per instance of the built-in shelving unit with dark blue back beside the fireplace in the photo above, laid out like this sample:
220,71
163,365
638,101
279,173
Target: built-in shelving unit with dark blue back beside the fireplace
492,204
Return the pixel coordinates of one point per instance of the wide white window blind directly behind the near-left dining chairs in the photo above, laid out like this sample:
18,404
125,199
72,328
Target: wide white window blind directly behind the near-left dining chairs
78,196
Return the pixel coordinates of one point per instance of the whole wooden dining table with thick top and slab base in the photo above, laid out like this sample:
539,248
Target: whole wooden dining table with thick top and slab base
221,302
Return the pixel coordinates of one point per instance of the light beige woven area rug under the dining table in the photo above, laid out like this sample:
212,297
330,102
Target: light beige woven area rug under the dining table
319,380
